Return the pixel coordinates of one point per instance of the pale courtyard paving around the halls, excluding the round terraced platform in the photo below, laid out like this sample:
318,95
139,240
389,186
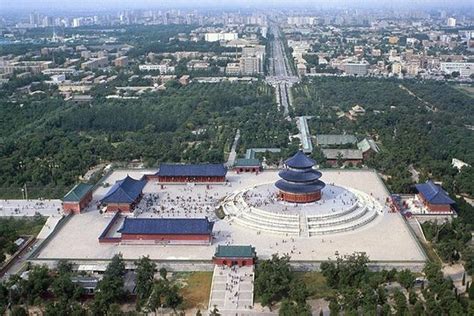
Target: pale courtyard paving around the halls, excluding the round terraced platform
387,238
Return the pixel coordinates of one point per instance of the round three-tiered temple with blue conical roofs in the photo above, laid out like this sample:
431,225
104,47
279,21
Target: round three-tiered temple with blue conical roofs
299,182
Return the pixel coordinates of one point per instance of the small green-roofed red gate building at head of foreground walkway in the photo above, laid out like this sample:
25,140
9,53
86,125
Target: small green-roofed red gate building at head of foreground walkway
234,256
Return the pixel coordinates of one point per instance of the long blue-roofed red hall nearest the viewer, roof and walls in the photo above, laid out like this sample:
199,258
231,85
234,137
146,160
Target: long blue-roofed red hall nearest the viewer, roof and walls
167,231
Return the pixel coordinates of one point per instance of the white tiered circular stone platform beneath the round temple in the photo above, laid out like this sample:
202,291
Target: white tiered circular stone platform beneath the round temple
339,210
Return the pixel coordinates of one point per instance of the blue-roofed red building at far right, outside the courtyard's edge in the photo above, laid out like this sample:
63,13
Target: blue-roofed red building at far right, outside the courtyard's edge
434,197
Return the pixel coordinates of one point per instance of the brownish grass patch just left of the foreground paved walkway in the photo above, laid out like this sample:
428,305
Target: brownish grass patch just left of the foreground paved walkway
196,288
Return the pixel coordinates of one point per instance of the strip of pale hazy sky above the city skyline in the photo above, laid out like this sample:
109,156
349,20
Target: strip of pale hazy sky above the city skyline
60,5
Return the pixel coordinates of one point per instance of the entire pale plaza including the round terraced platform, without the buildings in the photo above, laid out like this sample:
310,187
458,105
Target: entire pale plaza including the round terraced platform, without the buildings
359,198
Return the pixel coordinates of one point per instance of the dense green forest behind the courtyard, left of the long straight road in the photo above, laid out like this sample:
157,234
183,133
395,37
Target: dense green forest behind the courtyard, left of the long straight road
47,143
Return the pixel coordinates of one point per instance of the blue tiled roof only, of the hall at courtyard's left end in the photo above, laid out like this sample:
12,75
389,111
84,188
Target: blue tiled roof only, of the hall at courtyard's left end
126,190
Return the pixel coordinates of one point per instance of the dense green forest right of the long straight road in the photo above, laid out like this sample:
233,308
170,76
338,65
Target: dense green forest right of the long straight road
423,124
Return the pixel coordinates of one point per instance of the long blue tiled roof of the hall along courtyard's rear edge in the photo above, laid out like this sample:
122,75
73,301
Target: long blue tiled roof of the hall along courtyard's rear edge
200,170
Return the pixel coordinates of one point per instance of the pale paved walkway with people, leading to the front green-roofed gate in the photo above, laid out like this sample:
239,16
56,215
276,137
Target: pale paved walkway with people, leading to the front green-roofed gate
232,289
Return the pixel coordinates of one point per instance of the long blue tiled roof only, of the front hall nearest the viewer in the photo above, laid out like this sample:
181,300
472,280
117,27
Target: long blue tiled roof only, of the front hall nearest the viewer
170,226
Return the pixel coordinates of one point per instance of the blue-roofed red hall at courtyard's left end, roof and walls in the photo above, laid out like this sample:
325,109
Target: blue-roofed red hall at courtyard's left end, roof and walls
124,195
